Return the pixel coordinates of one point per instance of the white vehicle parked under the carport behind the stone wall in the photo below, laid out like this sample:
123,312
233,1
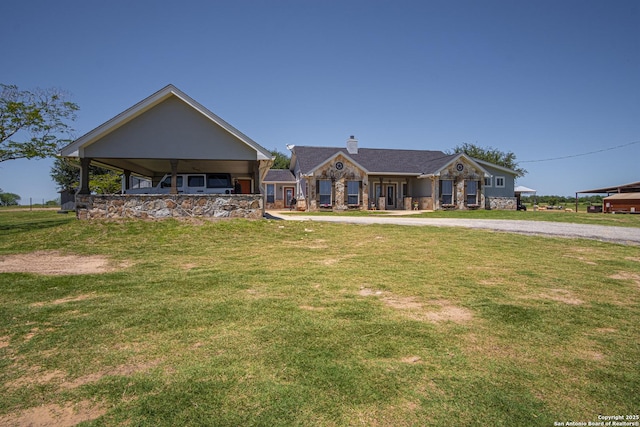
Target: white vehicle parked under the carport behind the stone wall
192,183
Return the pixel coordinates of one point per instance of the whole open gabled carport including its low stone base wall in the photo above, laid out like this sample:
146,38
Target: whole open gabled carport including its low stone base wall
170,133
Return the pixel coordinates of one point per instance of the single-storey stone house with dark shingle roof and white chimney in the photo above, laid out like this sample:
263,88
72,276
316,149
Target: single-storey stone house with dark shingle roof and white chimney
341,178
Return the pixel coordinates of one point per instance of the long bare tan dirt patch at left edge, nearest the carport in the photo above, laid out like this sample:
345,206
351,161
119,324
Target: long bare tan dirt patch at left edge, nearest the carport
54,263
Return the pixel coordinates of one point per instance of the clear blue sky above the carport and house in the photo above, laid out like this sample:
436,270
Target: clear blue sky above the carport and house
543,79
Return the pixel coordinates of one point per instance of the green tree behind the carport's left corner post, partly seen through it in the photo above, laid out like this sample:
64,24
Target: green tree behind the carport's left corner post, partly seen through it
66,173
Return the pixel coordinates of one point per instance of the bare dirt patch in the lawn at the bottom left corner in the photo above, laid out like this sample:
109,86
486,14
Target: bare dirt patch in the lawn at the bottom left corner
54,415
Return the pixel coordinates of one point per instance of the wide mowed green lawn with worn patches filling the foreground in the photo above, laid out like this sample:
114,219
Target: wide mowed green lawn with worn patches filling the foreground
286,323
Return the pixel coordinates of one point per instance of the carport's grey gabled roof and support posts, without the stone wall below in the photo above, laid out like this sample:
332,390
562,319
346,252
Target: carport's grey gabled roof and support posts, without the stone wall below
169,132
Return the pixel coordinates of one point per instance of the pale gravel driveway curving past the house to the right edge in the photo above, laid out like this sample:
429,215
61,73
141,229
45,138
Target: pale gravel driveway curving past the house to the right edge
621,235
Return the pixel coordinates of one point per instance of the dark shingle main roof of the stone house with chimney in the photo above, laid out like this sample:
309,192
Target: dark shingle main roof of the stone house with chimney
377,160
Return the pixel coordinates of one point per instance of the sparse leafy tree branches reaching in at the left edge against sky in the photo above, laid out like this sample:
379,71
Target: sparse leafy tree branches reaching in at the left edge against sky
33,124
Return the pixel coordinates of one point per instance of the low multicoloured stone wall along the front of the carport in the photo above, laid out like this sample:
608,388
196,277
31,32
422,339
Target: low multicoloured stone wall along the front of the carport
156,206
